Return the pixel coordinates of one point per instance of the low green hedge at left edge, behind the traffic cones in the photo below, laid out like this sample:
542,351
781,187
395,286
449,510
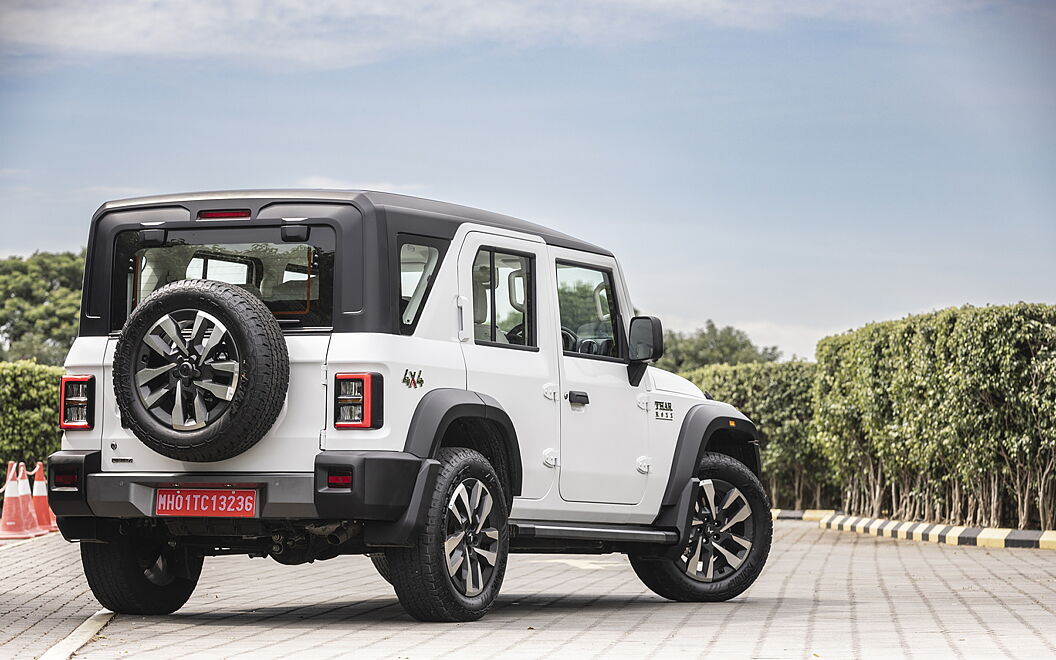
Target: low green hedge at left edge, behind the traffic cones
29,411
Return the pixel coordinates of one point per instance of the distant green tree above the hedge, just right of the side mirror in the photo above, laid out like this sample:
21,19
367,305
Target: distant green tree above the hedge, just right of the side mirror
712,346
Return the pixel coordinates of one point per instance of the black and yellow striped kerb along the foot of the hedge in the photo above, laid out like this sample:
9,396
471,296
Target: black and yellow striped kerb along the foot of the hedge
950,535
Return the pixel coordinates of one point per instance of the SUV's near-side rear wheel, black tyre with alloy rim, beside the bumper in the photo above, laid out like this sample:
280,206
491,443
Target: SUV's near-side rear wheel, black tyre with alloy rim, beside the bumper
424,584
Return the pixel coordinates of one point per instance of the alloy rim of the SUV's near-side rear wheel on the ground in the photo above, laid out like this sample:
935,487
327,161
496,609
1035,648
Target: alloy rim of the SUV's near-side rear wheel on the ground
472,544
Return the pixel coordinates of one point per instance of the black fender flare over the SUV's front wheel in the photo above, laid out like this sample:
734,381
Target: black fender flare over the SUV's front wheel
700,429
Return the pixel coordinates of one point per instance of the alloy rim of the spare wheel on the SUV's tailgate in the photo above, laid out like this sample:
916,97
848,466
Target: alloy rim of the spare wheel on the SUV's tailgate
187,370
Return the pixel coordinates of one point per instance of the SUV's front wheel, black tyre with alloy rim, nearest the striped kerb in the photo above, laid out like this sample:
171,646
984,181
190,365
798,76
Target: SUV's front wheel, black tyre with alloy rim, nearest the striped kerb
734,568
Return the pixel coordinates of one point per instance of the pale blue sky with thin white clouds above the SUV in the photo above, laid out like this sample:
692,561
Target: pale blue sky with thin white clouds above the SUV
795,169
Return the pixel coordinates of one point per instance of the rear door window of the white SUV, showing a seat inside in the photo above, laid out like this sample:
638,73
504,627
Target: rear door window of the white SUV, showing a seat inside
503,299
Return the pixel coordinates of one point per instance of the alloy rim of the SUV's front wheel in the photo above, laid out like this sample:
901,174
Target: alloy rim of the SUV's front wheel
721,534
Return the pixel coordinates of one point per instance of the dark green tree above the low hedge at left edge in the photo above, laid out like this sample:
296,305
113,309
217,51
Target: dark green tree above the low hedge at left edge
40,306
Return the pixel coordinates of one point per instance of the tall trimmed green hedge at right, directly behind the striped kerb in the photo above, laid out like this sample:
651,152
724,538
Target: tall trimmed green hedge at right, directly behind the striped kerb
948,417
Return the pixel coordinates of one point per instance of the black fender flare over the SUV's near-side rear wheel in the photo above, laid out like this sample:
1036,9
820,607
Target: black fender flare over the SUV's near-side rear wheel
440,409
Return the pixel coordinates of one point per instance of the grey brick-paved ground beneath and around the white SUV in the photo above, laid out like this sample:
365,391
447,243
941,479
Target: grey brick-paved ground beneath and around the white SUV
831,594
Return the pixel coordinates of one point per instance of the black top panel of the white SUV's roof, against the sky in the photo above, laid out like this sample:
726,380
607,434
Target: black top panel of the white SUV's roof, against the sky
439,212
